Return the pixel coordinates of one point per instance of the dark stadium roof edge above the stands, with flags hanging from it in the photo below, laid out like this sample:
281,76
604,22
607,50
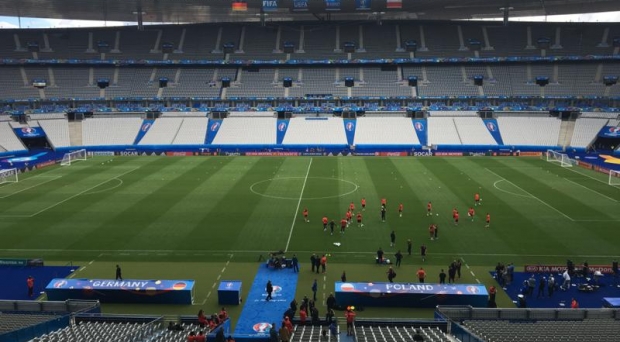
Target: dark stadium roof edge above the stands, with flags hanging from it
192,11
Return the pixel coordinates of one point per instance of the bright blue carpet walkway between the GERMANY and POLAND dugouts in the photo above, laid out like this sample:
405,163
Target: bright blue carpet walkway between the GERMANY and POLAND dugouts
258,314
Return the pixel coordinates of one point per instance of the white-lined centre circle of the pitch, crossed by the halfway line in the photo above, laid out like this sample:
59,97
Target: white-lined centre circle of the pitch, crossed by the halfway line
261,187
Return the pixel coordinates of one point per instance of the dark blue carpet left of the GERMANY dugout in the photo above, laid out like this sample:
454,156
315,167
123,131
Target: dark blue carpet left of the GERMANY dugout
13,284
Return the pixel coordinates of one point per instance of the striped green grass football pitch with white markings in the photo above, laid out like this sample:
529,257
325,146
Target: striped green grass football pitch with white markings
186,217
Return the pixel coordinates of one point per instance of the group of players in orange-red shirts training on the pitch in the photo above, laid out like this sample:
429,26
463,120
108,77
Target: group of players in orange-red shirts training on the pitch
347,220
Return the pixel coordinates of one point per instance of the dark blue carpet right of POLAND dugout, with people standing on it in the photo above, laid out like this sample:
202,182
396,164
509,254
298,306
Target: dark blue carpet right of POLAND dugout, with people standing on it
560,298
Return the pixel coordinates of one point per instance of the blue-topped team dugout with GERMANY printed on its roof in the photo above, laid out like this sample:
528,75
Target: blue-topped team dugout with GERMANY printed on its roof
123,291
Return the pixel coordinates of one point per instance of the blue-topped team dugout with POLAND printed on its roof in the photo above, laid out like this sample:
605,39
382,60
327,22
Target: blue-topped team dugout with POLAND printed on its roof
418,295
